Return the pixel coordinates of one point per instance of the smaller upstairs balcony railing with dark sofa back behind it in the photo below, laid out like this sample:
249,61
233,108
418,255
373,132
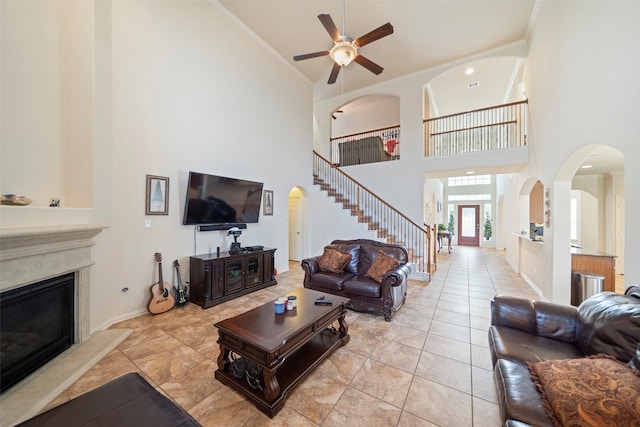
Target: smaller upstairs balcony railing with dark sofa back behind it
376,145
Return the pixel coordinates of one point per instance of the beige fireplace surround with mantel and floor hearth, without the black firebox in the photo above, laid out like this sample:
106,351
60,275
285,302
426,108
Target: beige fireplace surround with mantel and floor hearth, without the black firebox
32,254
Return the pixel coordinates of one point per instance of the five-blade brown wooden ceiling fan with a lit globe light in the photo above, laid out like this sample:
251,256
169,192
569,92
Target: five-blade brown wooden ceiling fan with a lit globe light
345,49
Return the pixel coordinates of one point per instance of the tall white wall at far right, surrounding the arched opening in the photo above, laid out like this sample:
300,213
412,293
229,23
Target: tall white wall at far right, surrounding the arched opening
582,68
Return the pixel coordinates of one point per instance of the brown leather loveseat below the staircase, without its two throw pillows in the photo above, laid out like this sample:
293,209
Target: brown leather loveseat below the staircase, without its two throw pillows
364,293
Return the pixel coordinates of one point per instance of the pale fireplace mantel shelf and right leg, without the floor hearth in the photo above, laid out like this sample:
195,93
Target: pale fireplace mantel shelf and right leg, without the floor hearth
31,254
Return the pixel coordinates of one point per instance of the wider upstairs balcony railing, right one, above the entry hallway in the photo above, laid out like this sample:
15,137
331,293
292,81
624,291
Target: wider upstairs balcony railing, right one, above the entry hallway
492,128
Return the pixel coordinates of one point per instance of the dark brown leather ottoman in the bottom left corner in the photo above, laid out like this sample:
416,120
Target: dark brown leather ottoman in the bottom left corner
126,401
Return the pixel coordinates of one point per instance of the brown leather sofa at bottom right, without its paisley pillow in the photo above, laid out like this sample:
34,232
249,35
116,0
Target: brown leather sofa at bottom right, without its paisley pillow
524,331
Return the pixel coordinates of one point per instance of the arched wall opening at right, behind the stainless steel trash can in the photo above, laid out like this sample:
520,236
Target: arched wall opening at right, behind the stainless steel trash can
588,204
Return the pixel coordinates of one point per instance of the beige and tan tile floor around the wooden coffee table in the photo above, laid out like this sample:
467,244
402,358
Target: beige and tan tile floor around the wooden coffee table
430,366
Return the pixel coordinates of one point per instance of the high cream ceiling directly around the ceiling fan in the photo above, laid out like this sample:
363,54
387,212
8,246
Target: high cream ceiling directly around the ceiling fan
426,33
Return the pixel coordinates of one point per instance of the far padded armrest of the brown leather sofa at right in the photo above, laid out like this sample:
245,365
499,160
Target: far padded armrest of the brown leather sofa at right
539,318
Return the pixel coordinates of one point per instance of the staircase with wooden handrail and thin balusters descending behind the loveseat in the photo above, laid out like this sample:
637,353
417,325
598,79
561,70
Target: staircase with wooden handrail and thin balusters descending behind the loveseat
379,216
